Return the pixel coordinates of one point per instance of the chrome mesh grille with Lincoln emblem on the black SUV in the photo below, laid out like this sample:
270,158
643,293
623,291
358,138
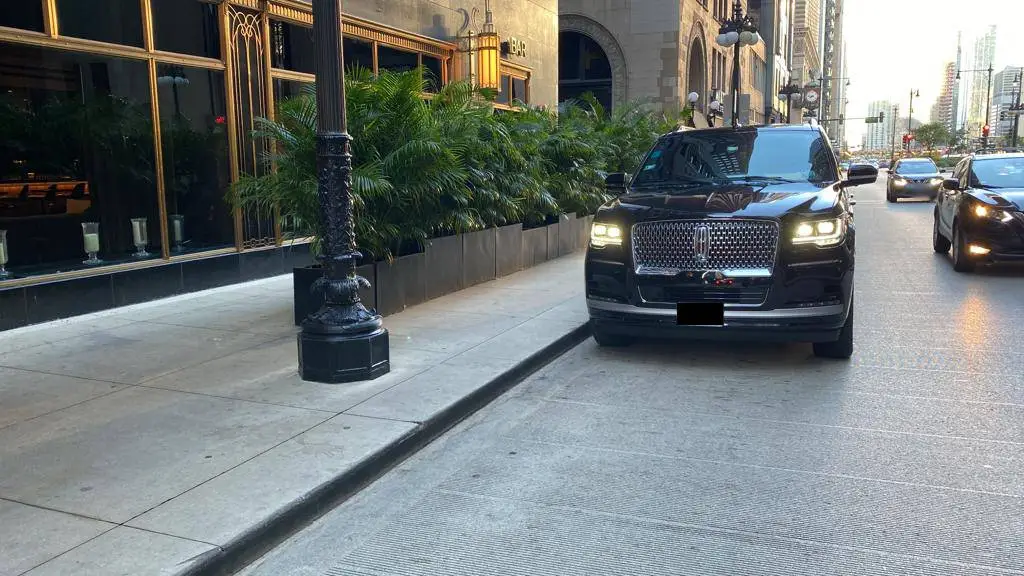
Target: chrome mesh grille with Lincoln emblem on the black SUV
671,246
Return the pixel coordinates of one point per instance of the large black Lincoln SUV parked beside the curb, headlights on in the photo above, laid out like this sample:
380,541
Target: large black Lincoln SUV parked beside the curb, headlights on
729,233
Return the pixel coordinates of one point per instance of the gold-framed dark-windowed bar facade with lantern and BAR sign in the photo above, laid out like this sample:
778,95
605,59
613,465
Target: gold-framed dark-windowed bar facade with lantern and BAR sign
125,125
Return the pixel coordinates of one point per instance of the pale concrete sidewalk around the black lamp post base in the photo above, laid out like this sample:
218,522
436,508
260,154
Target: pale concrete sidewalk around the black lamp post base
173,436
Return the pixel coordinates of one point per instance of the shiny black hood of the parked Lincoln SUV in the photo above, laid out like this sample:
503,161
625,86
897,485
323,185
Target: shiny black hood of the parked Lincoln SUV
728,200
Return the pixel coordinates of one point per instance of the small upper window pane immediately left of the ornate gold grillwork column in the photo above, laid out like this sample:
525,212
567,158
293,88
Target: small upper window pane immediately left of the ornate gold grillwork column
189,27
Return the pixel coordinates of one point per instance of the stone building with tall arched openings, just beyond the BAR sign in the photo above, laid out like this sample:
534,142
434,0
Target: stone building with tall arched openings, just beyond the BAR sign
655,52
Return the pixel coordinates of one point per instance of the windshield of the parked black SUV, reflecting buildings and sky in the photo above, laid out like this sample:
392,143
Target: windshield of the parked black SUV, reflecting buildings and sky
723,156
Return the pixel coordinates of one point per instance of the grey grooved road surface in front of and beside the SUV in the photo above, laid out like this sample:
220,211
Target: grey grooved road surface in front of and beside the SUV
704,460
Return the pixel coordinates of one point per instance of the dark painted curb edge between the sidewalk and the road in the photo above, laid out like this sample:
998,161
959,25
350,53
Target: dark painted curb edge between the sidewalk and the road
267,536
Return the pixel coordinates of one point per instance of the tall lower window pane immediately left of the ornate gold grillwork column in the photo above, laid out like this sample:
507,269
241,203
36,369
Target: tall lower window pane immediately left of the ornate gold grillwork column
197,174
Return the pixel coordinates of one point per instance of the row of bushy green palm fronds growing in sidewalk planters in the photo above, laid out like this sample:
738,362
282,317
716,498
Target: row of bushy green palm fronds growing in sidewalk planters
452,163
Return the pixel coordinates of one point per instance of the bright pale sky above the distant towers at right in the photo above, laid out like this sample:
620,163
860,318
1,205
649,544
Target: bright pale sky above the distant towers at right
894,47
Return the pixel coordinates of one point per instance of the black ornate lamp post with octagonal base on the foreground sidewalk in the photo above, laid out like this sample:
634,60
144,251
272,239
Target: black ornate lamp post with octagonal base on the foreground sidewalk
343,342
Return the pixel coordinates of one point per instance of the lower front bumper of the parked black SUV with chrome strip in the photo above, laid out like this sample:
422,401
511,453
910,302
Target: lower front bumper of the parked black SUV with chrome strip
819,324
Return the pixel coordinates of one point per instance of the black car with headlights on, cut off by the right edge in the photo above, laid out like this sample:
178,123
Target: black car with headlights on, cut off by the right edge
980,213
